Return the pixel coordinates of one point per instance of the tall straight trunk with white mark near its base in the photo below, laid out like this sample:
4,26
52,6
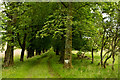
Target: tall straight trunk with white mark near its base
68,43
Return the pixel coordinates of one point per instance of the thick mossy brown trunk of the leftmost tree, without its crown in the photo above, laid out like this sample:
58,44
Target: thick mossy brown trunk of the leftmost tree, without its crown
9,53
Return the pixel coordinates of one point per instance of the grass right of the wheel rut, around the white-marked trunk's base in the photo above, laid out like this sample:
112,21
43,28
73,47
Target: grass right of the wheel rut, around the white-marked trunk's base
84,69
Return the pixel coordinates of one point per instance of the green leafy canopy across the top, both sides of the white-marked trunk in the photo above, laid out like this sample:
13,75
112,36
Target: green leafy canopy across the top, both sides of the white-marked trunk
30,20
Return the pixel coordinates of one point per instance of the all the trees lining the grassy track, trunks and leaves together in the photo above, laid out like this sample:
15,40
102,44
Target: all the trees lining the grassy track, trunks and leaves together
83,26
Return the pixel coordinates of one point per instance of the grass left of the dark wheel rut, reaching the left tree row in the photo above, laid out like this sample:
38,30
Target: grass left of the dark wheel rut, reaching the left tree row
36,67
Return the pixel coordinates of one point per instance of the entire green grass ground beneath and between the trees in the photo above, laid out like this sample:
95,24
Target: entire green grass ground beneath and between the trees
37,67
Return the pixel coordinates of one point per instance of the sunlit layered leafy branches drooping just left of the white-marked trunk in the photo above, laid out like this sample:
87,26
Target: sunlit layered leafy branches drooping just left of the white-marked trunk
56,24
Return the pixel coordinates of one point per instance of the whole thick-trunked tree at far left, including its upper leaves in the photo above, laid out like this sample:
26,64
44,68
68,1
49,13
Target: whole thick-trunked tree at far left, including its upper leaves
11,21
